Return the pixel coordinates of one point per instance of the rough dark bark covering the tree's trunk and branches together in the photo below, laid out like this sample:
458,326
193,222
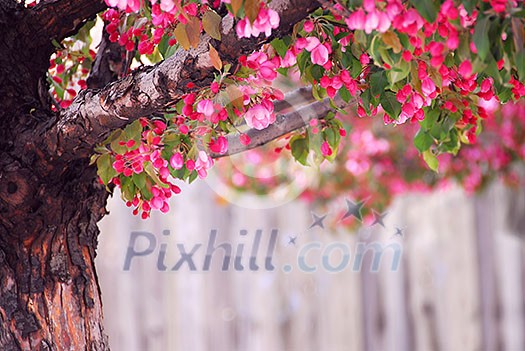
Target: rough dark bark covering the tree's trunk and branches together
50,201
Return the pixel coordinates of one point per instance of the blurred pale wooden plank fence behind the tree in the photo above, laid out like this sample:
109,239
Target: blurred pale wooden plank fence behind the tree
459,286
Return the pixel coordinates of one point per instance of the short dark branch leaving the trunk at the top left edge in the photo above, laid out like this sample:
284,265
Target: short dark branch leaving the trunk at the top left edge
63,18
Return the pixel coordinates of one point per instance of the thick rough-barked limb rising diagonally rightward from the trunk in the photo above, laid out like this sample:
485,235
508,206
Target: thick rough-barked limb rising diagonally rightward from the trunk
95,113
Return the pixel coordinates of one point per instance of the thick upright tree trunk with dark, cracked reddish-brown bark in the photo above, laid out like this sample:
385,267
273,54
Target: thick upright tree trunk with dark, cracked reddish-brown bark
49,294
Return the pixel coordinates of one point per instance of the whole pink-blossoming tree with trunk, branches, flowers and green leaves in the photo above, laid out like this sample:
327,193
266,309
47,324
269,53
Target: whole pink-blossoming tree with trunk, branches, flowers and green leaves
174,85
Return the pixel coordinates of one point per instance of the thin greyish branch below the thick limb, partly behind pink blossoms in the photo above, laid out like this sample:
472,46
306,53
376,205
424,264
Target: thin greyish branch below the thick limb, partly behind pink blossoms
283,125
